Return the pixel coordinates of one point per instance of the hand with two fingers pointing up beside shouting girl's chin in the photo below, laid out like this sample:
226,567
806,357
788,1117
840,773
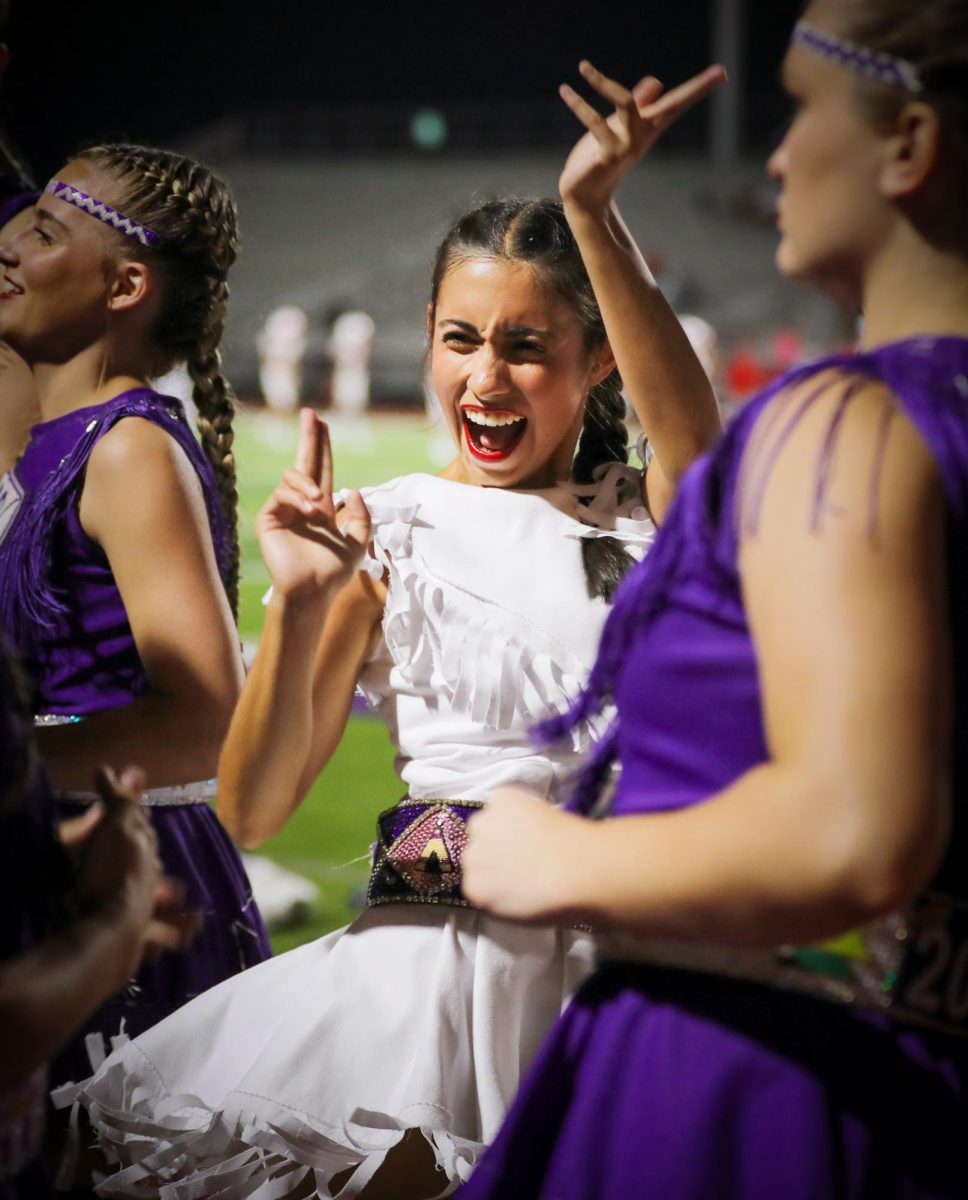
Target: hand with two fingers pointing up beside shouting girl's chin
306,545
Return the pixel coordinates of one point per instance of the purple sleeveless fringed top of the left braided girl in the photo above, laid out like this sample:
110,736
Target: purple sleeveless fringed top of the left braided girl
59,602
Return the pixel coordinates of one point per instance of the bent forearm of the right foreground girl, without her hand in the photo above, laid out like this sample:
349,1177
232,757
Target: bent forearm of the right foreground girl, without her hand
778,857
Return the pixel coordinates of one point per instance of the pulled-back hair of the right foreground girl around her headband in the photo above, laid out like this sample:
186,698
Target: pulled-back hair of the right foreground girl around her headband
934,37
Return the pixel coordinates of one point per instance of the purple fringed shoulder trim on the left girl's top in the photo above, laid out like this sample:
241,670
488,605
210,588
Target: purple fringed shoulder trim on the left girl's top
28,601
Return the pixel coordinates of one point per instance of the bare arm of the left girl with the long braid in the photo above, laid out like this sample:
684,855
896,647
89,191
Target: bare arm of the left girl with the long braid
143,503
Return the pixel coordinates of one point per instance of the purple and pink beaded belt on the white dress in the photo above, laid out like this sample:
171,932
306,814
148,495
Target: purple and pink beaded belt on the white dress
417,857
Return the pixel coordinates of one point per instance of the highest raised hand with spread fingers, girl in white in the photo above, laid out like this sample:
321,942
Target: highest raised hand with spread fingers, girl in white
615,145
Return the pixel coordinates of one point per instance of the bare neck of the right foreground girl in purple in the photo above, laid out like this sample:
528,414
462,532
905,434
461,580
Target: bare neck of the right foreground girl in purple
916,291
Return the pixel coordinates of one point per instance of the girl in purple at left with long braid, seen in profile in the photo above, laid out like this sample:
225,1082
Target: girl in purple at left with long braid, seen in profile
118,551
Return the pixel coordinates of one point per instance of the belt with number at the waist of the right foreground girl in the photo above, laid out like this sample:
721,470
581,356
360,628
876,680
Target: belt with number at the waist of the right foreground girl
912,967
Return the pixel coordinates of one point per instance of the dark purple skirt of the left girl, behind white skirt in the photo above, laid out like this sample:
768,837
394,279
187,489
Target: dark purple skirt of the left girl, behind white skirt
195,849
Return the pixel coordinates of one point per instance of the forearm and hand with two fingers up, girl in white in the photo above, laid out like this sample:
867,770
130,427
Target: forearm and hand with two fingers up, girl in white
320,627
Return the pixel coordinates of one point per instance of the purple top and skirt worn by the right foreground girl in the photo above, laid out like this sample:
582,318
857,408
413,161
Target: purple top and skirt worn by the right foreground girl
680,1087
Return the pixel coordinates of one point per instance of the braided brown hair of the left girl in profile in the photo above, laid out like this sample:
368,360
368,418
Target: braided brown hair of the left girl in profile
194,214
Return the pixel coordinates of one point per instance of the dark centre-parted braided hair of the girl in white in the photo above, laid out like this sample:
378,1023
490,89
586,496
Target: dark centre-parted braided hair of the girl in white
537,233
